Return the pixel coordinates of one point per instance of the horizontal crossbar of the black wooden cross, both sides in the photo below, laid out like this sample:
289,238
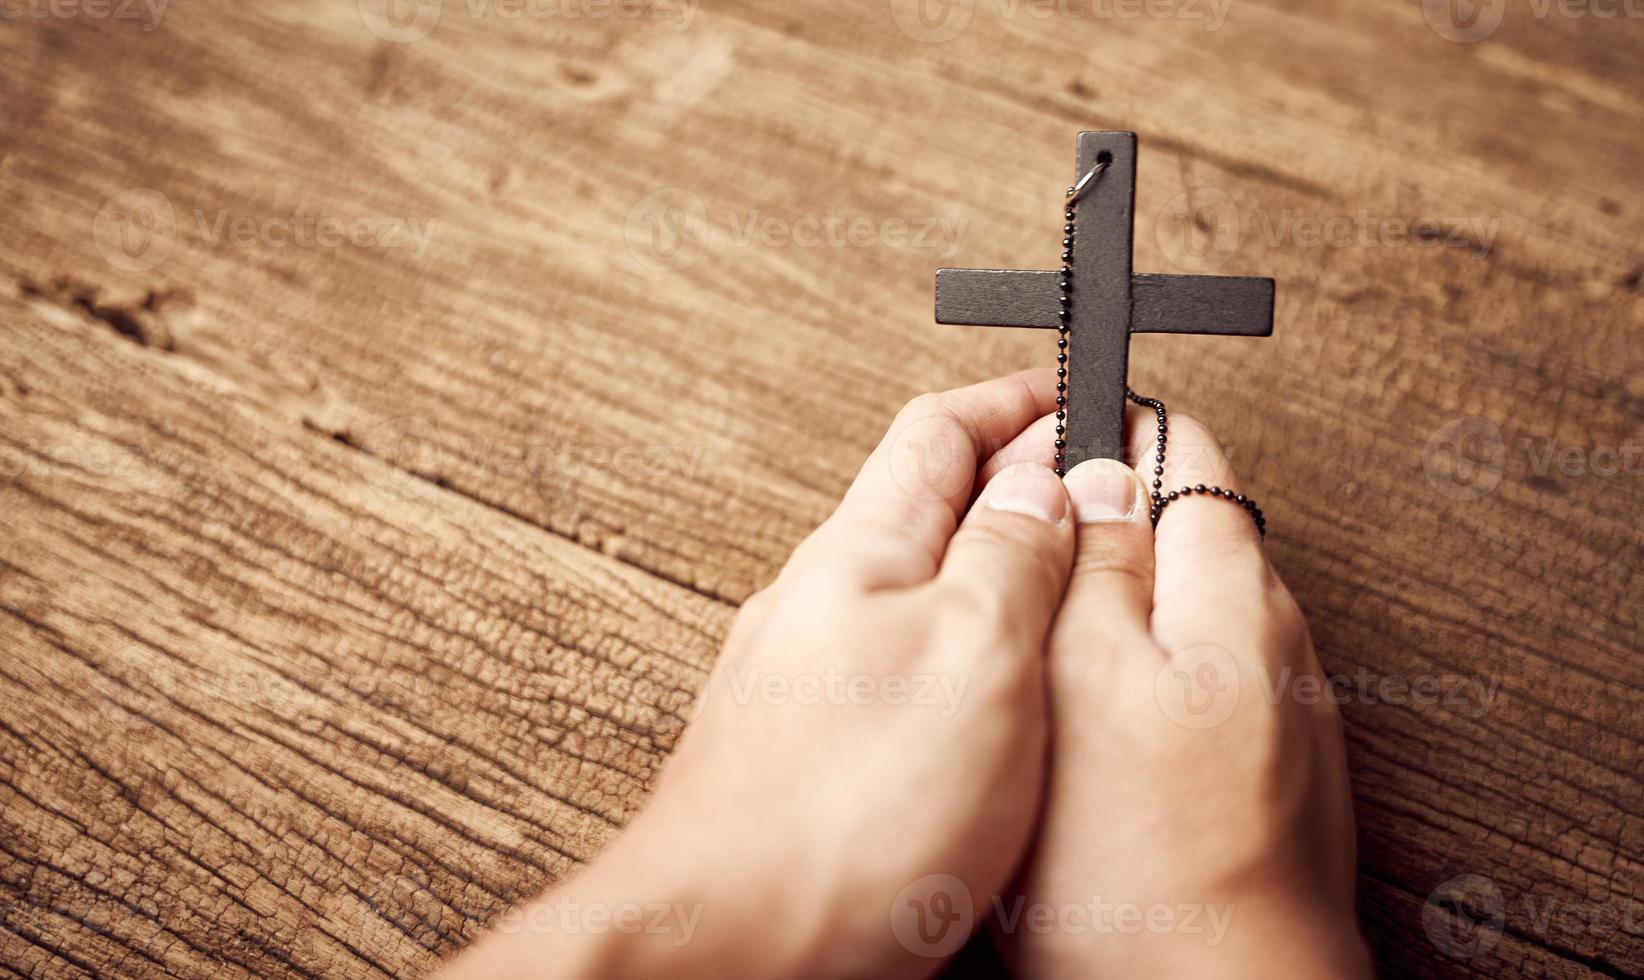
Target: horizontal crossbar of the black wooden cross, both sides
1160,305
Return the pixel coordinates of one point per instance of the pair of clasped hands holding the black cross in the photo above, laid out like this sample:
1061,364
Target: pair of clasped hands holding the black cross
982,698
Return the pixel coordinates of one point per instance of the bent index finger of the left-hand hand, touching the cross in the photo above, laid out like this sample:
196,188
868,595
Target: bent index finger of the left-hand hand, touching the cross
898,517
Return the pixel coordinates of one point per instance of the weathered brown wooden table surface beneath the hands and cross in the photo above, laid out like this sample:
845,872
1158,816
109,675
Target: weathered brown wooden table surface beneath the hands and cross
394,412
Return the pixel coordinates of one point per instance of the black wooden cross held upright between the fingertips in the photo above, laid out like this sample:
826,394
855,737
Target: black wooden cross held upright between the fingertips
1109,303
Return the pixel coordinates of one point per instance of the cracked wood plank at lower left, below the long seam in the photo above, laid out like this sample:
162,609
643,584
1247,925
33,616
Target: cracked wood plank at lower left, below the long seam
270,711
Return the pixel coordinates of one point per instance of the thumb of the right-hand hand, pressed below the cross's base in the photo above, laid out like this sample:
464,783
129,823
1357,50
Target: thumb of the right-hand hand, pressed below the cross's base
1111,594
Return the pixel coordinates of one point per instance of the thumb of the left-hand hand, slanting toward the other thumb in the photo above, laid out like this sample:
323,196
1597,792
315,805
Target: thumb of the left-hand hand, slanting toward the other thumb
1014,550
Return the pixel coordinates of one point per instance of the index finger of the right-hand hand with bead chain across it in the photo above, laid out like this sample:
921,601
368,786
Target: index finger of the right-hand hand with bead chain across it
1211,570
